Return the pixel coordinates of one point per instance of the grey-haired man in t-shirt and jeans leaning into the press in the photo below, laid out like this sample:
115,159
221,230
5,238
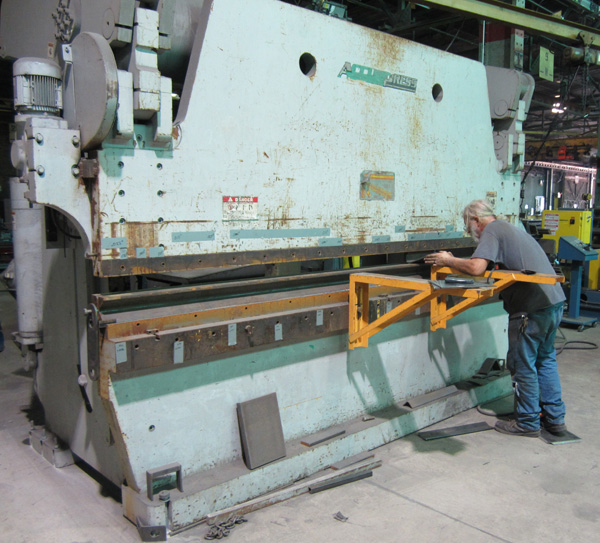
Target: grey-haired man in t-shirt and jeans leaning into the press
534,310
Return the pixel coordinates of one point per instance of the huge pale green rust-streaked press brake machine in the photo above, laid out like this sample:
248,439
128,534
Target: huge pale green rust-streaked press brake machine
222,139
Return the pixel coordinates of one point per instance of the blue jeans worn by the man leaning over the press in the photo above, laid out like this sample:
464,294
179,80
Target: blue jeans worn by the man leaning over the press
531,361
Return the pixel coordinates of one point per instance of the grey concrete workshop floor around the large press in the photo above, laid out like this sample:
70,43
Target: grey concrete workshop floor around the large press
478,488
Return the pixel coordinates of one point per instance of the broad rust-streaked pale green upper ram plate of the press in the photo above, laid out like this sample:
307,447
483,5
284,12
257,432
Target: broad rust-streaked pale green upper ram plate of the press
301,151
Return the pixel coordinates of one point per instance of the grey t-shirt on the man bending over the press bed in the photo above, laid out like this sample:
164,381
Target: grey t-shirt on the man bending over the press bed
513,249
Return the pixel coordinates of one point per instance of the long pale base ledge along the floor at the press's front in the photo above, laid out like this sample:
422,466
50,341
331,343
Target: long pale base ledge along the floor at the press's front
229,485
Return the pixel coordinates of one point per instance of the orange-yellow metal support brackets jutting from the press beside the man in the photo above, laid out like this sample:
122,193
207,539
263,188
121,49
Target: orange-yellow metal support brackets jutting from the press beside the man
360,329
